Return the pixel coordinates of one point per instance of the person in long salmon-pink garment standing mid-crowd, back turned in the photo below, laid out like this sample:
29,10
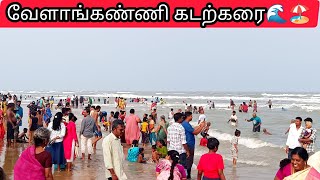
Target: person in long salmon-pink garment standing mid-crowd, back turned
132,131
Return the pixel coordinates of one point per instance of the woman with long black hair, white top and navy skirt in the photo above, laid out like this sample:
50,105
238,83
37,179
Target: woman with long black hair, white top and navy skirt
58,131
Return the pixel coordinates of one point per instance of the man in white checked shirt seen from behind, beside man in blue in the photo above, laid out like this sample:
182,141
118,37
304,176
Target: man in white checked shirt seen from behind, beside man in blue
177,140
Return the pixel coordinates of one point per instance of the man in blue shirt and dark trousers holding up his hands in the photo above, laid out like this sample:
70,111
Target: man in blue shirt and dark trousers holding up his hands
190,133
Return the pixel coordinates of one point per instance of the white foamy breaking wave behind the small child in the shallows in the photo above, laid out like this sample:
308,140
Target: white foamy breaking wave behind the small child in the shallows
247,142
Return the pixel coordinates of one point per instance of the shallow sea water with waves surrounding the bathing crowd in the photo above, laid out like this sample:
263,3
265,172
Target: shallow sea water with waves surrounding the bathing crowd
259,154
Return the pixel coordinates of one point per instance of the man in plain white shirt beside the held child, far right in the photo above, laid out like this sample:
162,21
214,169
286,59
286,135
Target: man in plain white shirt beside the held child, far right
293,136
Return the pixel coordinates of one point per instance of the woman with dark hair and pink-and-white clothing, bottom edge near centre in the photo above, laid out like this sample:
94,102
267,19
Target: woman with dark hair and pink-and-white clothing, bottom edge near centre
169,168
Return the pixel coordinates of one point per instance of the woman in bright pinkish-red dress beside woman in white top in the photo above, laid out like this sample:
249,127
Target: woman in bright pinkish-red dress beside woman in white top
70,141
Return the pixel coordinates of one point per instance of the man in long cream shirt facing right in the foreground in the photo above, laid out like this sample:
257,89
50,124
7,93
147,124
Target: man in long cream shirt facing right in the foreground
113,152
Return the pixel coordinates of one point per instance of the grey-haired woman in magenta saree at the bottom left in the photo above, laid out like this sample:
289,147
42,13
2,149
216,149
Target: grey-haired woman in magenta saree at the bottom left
35,163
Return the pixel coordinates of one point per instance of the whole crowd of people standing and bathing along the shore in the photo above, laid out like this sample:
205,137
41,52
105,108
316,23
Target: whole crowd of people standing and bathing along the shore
54,140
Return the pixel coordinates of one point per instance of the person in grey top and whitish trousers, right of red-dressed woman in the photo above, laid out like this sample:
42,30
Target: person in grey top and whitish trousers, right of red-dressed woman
86,133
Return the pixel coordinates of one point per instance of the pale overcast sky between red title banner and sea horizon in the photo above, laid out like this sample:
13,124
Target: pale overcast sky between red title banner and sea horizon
160,59
